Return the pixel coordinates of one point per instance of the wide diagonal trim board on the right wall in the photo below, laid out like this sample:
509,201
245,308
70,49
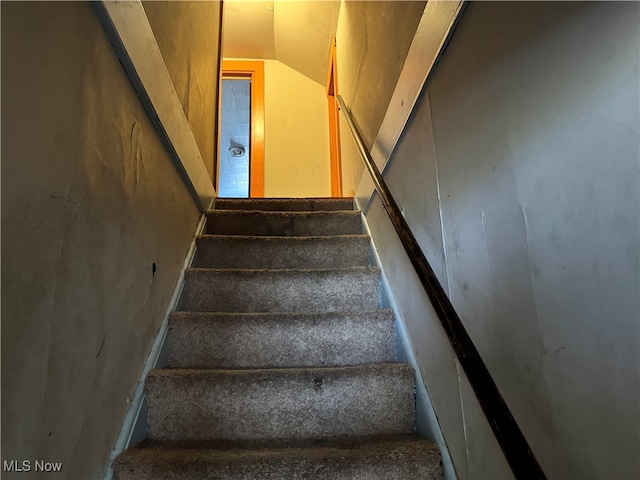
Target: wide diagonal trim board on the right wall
436,27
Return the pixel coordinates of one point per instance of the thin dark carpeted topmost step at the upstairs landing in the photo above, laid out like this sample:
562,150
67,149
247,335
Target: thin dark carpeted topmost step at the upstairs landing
285,204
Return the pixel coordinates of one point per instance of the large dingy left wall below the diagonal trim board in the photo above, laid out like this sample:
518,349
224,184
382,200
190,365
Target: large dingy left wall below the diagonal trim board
90,201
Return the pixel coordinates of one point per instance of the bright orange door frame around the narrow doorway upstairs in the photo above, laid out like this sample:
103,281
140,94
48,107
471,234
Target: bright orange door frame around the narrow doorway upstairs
255,71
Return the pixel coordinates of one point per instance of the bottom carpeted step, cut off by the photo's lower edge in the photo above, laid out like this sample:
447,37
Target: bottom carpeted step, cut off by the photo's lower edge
400,457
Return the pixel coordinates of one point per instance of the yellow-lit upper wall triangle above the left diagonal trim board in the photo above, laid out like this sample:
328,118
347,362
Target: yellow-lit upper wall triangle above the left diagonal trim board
187,35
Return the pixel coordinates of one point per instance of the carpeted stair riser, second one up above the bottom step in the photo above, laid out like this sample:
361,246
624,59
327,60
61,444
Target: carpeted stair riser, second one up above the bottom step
272,340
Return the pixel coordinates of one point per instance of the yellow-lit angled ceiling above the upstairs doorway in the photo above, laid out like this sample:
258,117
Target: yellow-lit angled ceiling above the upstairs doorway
297,33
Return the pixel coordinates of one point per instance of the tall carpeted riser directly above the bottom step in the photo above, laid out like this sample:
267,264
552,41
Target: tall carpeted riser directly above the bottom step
263,405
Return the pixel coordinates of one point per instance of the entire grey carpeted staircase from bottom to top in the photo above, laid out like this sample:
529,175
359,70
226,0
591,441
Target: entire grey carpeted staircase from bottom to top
281,365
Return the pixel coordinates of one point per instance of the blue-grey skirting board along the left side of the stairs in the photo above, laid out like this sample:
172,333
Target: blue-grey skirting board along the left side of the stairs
134,425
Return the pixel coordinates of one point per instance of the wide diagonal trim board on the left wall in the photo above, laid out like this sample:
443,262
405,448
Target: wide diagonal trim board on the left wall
127,27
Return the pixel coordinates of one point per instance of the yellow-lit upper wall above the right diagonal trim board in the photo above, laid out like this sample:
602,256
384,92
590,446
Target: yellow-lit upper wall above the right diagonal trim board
372,39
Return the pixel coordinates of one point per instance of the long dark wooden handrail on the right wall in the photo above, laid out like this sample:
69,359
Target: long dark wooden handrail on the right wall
516,450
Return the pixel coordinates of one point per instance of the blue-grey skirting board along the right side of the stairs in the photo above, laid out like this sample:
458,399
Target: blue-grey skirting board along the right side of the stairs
427,423
